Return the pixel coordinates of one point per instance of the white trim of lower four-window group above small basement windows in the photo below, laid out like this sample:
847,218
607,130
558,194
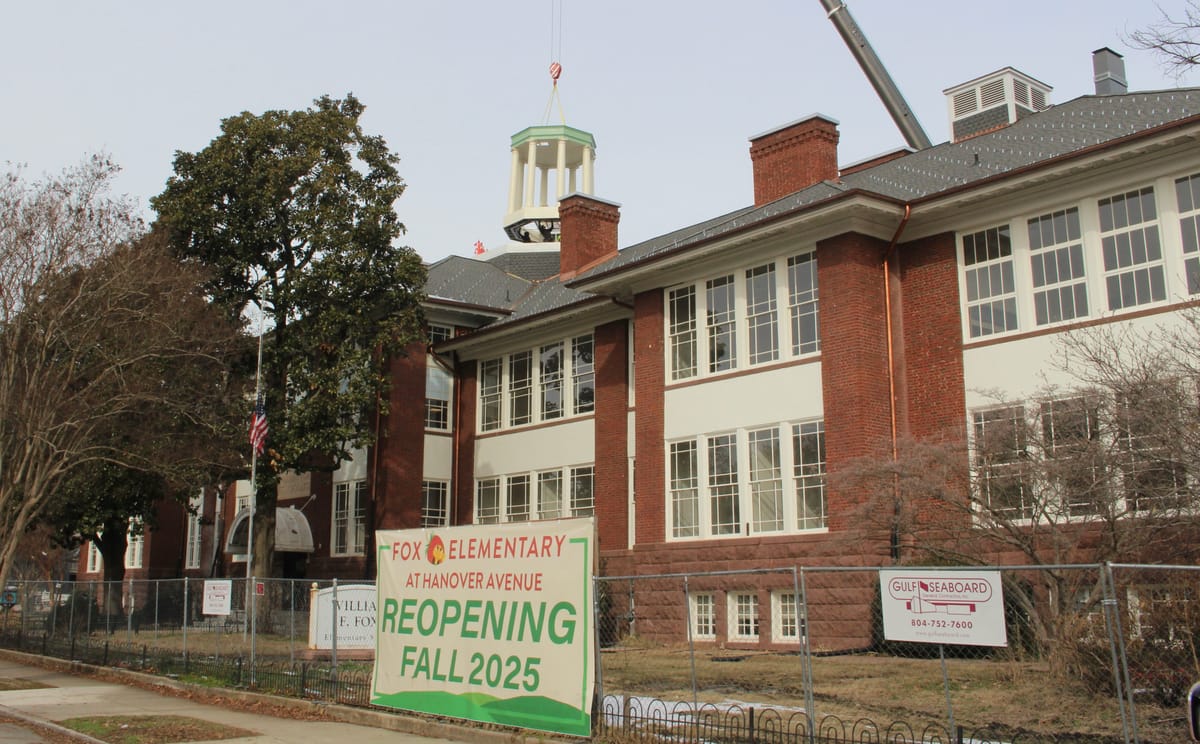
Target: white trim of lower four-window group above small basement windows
745,491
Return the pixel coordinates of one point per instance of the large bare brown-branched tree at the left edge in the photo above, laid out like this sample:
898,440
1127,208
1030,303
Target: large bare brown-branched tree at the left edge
110,352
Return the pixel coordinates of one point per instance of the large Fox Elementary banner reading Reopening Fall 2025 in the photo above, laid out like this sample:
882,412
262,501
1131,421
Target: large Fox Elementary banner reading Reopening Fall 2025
489,623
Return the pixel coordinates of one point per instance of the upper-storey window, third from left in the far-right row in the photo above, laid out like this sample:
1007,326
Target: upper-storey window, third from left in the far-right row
1133,257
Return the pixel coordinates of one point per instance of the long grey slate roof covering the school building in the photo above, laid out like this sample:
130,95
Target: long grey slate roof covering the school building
527,284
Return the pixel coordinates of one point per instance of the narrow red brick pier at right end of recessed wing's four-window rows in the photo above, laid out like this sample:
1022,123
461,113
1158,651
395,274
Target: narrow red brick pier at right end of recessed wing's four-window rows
613,435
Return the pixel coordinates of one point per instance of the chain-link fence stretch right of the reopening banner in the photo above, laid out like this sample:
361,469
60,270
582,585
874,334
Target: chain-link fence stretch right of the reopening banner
1094,653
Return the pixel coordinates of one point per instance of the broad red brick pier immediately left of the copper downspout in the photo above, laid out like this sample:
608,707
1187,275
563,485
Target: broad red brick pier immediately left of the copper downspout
854,361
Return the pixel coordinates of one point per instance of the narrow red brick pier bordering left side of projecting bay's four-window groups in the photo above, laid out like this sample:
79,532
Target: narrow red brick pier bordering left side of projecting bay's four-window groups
650,399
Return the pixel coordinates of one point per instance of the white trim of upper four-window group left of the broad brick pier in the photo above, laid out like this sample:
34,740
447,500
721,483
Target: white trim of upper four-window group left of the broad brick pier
700,332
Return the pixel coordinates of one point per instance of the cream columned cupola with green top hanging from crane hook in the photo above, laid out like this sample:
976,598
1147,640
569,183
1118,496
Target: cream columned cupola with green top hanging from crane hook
549,163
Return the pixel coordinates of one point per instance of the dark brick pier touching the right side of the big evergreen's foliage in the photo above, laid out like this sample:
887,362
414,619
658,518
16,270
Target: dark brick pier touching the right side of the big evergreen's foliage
395,466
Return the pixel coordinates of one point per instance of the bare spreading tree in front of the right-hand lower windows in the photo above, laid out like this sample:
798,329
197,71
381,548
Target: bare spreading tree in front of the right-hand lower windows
1101,470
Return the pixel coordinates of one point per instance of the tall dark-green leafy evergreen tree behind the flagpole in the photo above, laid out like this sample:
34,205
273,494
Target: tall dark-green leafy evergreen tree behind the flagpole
293,212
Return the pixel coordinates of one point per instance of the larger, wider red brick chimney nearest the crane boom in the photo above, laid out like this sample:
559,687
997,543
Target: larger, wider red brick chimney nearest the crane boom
794,157
